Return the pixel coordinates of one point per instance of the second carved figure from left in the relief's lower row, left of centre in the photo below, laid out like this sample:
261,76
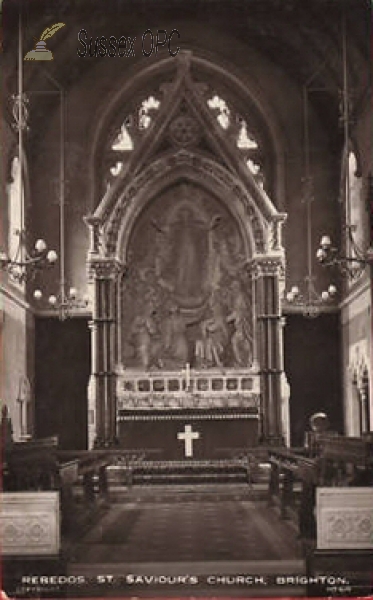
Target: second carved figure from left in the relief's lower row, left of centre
175,340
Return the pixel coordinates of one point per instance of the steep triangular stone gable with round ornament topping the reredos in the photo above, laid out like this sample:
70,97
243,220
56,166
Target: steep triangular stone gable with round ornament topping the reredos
185,129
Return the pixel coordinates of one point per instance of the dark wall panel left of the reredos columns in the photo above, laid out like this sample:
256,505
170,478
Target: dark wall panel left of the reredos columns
62,368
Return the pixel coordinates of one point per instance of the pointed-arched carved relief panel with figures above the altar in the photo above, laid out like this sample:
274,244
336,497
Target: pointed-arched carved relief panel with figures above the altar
186,298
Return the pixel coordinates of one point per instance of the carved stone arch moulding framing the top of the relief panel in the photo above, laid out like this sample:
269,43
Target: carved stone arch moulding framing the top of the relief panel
258,221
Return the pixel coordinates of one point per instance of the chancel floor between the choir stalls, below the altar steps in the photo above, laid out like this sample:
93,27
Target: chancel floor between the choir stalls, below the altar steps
199,524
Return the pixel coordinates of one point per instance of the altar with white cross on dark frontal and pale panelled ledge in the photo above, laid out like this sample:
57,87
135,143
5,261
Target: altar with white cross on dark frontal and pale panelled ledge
189,414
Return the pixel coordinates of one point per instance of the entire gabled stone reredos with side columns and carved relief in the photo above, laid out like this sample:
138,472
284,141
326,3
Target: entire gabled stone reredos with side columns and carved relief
239,291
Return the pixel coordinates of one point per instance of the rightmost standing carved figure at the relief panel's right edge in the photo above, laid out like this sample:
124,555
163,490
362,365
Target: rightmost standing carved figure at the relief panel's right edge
241,340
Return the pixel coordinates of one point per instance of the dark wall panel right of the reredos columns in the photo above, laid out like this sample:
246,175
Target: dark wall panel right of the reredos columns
313,368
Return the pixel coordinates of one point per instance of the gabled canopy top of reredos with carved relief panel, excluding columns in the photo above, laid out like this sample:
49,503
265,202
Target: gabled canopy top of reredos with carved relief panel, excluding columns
185,224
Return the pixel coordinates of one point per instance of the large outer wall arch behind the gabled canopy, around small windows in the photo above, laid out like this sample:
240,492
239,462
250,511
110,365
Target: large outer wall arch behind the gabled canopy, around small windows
188,73
